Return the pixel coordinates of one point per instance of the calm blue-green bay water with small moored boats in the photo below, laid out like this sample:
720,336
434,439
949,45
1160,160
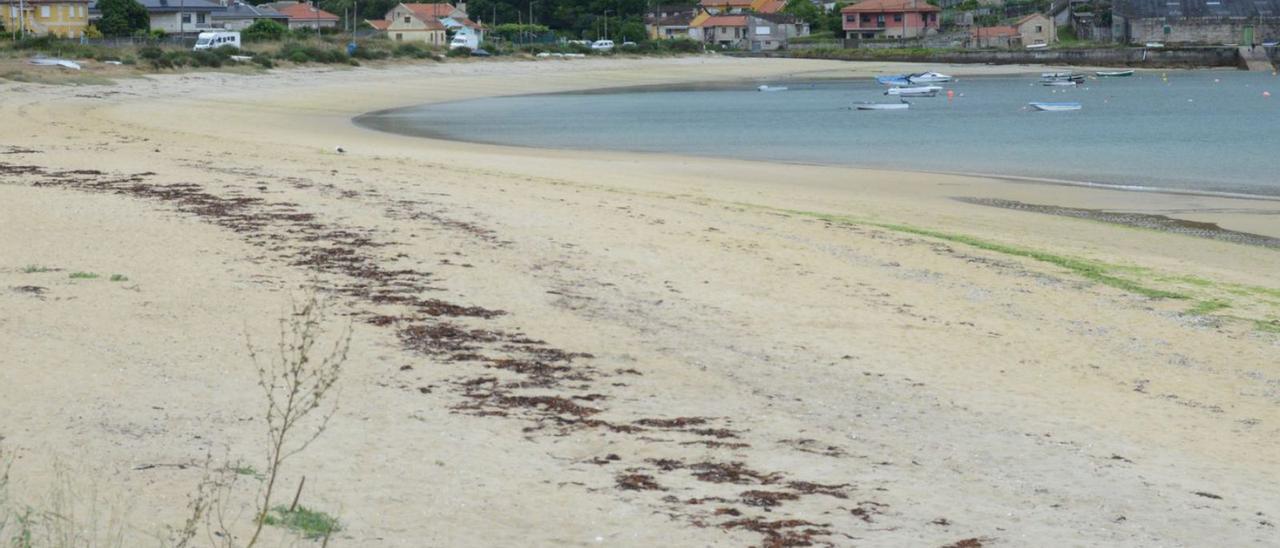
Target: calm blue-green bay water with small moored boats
1208,131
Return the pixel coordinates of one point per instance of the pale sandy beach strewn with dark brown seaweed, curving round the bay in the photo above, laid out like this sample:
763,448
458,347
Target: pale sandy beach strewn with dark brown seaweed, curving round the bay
559,348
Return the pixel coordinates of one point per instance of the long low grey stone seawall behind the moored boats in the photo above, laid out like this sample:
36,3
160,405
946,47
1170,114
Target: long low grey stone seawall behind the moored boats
1128,57
